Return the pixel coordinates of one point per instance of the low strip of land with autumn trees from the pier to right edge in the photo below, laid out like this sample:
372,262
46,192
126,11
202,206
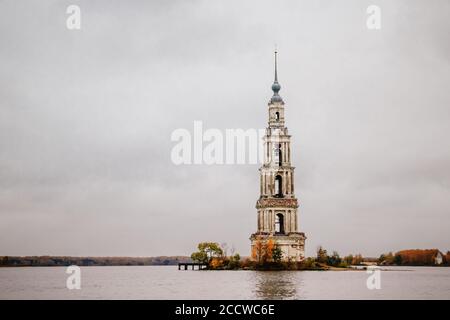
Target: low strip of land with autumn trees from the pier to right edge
268,256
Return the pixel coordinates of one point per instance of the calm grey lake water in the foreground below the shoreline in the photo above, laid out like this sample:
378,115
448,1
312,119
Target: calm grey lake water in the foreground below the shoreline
167,282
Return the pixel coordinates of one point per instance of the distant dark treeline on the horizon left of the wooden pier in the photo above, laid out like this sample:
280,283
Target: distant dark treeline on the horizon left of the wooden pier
49,261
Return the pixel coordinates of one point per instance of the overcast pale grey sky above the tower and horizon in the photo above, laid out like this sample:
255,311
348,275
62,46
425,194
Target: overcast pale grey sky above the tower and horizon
86,118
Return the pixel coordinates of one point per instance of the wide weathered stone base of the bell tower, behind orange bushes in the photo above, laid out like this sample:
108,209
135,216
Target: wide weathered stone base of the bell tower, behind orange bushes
292,245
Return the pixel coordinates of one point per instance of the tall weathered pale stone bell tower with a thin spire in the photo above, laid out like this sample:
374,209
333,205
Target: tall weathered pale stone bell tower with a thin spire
277,205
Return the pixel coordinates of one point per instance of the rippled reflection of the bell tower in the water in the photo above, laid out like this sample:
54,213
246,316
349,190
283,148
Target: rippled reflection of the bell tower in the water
275,284
